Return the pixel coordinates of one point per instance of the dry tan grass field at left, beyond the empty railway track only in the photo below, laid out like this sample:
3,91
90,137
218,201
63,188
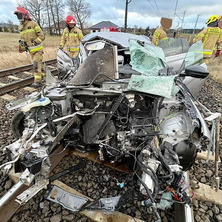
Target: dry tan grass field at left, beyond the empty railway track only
10,57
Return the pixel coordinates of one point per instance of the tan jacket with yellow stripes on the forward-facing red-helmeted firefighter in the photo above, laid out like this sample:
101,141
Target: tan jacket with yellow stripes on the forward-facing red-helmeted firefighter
71,38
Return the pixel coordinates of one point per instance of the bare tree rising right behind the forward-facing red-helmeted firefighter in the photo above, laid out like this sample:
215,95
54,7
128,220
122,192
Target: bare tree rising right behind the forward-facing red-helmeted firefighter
81,11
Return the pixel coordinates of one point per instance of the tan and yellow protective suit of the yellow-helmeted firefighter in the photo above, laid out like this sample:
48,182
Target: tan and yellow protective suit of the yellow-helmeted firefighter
210,37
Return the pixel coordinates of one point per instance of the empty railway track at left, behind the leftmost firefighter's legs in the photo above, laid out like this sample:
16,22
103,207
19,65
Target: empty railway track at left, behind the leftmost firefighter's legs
20,82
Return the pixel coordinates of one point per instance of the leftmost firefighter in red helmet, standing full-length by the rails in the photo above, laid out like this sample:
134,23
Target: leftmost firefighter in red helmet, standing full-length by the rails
31,37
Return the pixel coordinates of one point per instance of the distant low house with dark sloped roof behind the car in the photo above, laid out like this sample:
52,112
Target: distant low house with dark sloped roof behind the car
104,26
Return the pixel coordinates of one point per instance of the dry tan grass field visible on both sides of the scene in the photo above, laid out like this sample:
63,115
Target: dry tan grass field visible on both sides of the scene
10,57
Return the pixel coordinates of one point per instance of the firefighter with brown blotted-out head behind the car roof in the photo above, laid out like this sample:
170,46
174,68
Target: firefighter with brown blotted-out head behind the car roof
160,33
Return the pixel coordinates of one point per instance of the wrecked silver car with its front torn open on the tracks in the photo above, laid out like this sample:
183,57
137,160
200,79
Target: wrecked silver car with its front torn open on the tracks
128,101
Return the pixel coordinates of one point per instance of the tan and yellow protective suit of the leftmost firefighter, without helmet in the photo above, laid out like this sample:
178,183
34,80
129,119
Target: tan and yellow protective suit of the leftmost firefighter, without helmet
32,34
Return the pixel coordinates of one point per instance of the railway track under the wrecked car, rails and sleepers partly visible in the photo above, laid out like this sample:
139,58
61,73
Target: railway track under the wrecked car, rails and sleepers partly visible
181,213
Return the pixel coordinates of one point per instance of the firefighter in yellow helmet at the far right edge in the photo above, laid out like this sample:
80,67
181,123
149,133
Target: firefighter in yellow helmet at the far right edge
211,36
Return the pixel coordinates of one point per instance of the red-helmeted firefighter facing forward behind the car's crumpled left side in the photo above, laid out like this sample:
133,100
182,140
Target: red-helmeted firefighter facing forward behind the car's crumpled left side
71,37
